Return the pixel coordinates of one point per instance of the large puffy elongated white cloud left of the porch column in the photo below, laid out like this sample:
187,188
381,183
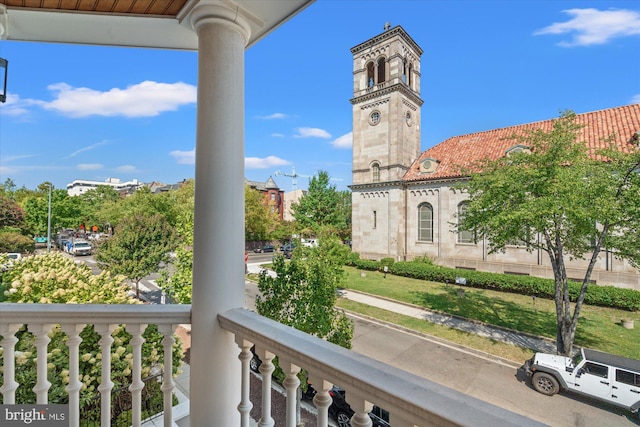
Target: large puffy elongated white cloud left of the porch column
145,99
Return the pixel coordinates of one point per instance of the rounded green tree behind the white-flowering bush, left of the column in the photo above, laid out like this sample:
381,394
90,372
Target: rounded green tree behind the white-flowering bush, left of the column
139,244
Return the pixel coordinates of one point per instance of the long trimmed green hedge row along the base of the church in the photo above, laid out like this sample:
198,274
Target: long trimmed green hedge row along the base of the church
605,296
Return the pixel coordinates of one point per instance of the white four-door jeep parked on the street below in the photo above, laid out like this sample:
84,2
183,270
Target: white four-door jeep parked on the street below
606,377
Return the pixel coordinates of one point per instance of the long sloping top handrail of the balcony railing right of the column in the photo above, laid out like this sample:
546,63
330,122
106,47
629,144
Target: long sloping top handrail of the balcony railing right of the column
423,402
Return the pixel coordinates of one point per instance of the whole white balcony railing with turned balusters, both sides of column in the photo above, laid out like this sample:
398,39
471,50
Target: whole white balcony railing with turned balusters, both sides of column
410,400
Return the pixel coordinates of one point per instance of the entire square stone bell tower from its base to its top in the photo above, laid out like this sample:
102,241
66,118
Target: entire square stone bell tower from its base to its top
386,140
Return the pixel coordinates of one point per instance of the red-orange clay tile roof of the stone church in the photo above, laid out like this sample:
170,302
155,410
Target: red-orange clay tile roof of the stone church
623,122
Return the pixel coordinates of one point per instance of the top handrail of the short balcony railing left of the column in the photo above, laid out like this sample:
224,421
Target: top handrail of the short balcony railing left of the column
18,313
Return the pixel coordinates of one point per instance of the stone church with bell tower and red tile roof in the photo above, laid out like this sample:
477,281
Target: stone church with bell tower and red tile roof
403,201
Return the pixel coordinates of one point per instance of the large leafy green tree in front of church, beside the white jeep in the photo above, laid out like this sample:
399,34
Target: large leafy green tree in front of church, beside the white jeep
560,198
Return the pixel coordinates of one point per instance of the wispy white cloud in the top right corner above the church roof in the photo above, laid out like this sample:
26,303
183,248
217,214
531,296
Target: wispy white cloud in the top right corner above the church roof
594,27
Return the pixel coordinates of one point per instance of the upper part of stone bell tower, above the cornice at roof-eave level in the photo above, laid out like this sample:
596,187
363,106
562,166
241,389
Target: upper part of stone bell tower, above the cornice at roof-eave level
386,106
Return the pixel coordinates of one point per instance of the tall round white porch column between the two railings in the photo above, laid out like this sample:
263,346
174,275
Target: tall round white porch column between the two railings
218,263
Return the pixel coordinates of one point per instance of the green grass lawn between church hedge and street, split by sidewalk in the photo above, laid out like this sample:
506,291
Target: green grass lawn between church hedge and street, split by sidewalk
599,328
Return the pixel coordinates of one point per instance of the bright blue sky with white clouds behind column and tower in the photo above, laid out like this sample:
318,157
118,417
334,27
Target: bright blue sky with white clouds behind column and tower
85,112
